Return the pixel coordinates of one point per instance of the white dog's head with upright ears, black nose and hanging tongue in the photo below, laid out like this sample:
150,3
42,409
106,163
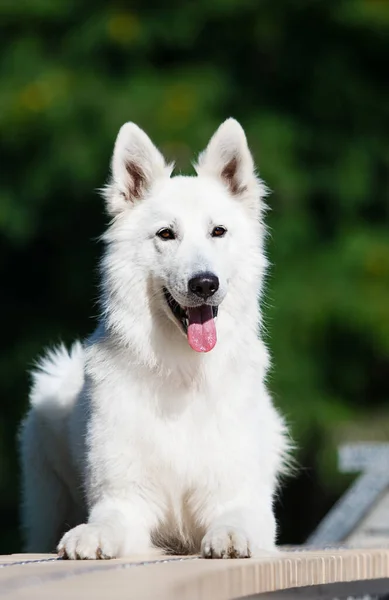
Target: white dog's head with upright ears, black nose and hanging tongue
192,236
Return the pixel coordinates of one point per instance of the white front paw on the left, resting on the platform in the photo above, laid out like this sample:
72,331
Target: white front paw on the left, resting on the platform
88,542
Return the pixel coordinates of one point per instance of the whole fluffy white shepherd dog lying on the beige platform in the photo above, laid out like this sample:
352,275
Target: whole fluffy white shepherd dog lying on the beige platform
158,434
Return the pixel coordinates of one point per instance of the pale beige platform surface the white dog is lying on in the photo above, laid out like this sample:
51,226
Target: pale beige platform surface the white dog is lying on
154,577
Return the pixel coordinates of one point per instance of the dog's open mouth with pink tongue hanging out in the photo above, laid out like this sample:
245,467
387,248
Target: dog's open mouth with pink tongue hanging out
197,322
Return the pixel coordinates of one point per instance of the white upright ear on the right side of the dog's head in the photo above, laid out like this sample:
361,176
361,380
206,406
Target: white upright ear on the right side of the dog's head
228,158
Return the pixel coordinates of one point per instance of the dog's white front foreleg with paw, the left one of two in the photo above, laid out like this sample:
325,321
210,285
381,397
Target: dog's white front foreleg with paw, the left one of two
115,528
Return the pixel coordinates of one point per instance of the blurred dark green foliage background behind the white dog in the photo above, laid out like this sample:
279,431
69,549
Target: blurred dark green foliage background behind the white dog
308,80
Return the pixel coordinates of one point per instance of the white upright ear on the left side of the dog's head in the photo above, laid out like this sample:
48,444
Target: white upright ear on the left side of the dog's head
136,165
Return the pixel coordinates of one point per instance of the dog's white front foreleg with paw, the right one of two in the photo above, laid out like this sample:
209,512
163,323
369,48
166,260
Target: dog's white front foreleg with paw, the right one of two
240,530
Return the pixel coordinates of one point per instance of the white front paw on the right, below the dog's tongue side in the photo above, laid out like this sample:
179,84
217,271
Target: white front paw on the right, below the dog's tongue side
225,542
